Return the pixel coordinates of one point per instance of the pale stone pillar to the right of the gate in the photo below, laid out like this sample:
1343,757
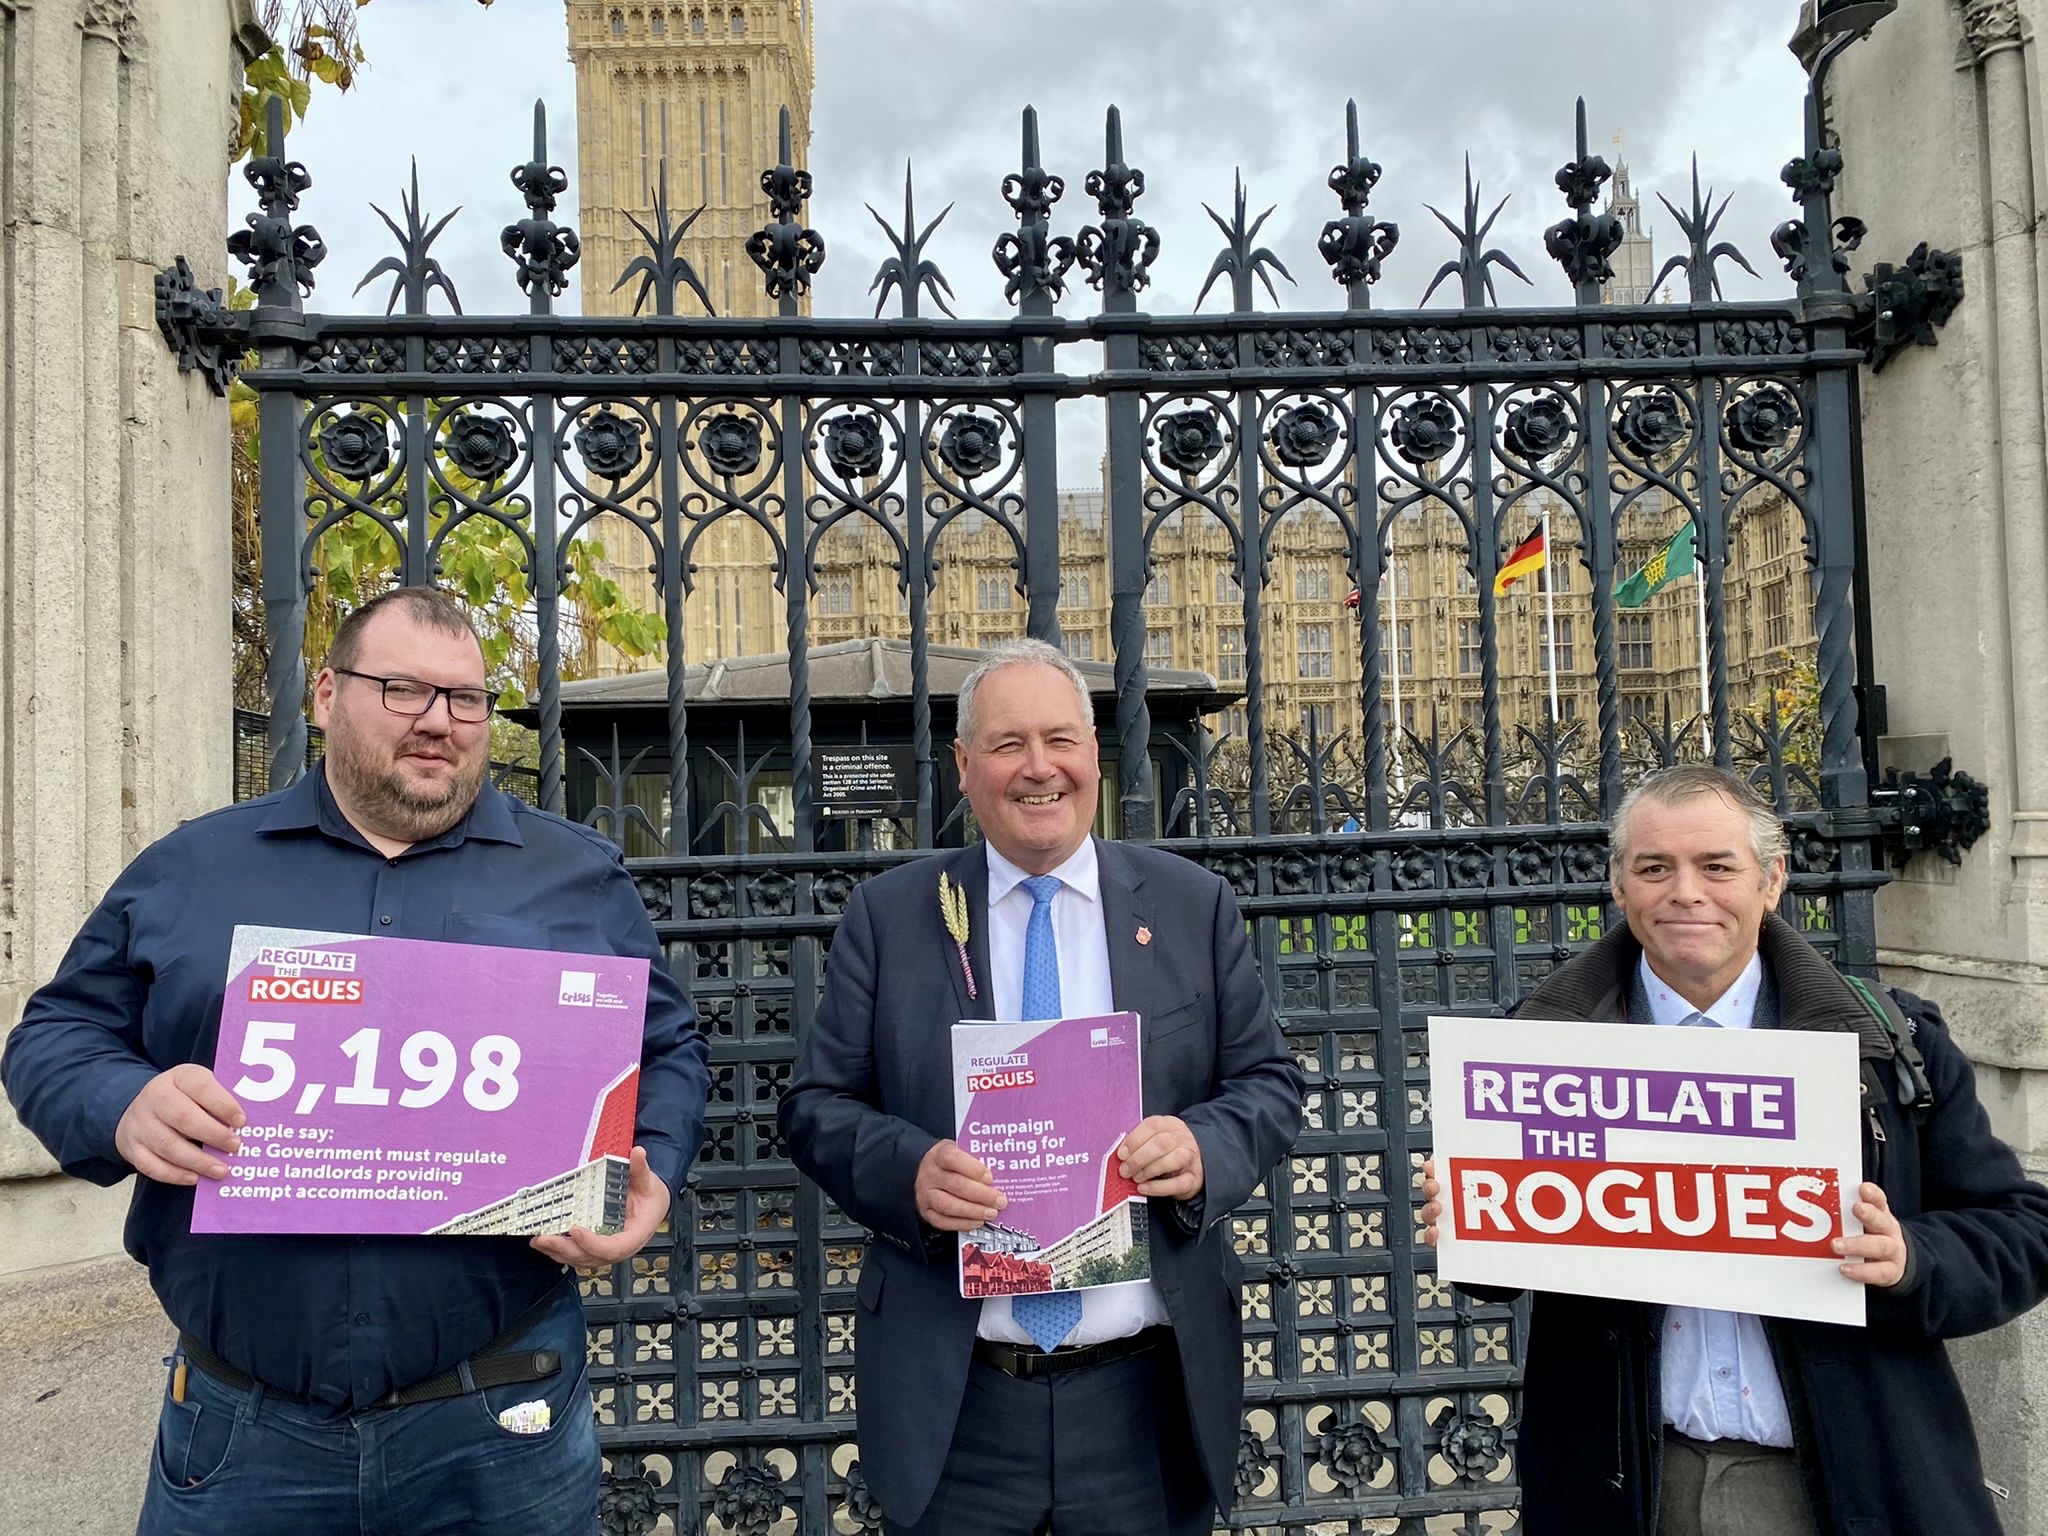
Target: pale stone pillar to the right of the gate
1940,116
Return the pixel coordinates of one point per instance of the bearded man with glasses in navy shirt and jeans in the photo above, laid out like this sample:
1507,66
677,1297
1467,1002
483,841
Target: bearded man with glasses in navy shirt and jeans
353,1383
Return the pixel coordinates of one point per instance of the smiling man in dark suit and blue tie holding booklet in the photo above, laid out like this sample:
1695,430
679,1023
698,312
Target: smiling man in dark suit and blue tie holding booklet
1121,1418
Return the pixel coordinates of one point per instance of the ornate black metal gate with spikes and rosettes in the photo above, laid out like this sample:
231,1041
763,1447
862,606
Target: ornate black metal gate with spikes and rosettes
1379,886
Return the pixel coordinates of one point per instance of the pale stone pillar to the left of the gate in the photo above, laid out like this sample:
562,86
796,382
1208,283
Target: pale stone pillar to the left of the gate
116,120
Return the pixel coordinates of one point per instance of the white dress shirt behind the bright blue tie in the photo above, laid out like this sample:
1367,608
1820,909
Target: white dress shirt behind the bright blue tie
1084,988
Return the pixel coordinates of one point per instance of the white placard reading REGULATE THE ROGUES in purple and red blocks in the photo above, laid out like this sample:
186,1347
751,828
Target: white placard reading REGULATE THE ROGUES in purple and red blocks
1697,1168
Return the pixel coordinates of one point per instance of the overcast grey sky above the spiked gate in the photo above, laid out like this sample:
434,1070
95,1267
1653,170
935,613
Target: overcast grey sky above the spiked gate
1207,87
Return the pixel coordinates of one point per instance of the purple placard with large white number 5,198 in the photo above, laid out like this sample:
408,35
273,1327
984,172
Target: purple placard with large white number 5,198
407,1086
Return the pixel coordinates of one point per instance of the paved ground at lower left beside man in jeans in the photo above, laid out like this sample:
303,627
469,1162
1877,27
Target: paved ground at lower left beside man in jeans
81,1377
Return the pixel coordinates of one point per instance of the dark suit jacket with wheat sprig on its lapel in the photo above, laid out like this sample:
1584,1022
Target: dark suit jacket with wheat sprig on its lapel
873,1095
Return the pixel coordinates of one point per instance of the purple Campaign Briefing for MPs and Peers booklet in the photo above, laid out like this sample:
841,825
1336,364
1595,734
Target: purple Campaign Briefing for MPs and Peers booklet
1046,1105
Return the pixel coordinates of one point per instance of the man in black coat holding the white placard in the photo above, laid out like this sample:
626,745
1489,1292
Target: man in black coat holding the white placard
1648,1420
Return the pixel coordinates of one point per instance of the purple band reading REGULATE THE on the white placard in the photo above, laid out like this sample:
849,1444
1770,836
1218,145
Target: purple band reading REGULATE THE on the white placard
1568,1111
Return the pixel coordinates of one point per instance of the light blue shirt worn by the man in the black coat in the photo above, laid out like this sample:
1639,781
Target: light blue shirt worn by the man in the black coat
1719,1381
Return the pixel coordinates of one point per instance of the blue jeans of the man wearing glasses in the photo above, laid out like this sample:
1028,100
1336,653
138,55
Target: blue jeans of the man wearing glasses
249,1463
